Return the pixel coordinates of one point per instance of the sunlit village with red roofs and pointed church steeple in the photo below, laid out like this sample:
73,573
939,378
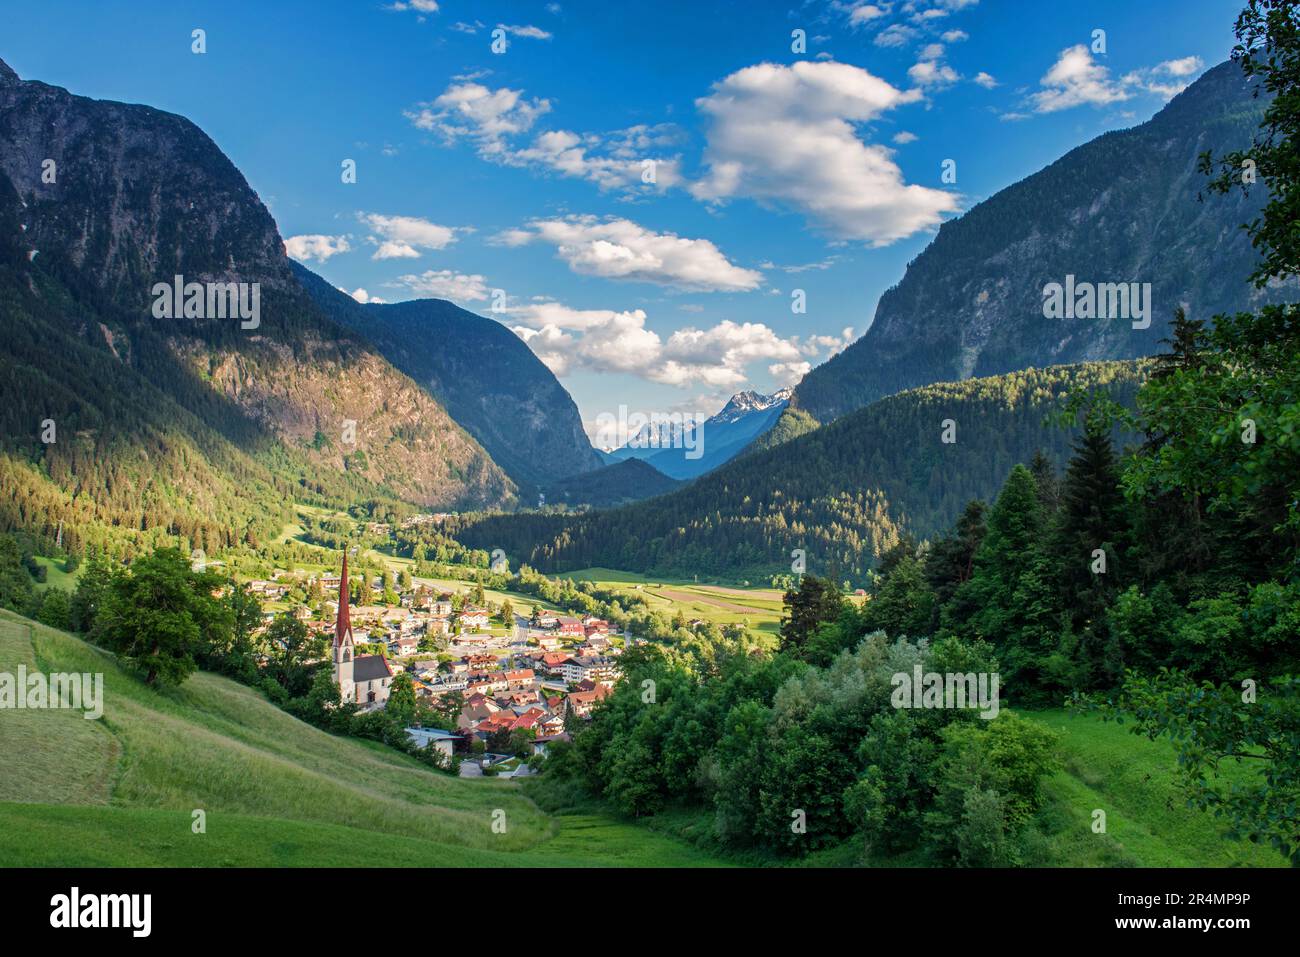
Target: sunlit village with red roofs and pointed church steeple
513,683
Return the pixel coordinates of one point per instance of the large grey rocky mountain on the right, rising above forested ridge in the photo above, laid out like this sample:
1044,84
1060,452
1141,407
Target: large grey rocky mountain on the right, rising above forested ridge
1123,209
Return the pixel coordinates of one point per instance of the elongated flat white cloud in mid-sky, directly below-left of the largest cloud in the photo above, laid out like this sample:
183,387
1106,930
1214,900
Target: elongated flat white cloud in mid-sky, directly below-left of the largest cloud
623,250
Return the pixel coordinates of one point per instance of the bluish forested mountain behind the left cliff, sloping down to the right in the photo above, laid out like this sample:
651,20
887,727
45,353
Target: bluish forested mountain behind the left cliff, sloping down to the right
483,374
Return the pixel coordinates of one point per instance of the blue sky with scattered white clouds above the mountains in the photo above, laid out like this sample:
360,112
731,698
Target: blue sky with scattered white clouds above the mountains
525,171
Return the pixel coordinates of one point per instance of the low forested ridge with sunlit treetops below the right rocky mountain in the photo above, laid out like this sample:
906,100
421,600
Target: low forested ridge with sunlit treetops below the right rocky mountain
843,493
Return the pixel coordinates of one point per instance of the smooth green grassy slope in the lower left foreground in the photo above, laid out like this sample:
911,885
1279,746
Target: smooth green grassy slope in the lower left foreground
276,791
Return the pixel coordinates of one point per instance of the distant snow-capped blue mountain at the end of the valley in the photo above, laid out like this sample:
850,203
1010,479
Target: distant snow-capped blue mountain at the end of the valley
684,451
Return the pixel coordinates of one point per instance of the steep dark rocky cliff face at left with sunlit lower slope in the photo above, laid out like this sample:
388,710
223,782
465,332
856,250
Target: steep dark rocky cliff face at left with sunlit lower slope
118,198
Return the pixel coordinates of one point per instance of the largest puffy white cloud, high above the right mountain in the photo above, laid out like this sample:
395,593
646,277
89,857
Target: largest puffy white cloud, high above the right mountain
787,135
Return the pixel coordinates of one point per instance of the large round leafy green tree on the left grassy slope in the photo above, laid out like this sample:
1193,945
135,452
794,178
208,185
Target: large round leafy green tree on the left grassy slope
161,616
